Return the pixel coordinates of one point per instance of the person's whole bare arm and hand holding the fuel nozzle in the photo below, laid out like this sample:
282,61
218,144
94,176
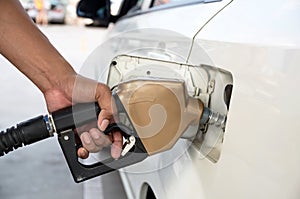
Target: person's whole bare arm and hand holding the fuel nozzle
27,48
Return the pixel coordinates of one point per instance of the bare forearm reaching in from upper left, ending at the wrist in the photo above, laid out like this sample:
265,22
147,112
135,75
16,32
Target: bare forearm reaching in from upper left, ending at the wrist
24,45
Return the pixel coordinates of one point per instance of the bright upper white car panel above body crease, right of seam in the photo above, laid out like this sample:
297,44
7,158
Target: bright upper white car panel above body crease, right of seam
271,23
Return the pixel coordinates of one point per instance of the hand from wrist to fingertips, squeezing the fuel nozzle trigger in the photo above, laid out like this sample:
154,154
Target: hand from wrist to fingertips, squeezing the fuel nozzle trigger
76,89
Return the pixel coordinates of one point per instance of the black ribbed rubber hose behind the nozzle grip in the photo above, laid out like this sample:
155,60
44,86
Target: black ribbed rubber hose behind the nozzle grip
25,133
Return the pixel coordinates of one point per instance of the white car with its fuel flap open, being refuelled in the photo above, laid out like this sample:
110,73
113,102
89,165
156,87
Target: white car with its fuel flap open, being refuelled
241,58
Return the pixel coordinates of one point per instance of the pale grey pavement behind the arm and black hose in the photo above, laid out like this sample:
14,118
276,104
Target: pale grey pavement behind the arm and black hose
39,170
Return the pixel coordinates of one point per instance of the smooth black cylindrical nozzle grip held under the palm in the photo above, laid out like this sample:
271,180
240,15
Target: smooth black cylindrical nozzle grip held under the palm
75,116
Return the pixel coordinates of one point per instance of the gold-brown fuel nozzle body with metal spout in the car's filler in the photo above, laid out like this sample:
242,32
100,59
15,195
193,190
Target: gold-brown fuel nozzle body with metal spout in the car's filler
161,111
